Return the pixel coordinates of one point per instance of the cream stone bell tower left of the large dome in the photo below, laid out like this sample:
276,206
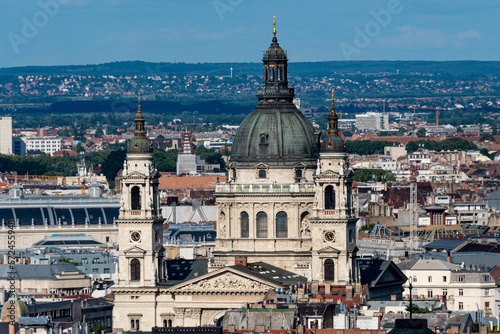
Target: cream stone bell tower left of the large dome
140,231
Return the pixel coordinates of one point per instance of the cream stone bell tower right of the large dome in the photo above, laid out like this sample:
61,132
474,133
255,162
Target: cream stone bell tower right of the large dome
333,223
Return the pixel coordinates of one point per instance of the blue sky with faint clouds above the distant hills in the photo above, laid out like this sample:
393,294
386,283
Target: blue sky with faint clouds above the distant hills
75,32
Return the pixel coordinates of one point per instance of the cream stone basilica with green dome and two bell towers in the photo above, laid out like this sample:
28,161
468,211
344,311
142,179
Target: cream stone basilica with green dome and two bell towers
285,216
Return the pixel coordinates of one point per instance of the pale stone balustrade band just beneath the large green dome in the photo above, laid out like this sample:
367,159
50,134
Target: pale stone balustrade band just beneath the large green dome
265,188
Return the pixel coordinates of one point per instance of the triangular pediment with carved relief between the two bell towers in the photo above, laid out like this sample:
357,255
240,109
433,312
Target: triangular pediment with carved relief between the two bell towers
225,279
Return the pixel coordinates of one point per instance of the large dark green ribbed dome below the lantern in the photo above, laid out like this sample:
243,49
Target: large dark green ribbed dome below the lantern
277,135
